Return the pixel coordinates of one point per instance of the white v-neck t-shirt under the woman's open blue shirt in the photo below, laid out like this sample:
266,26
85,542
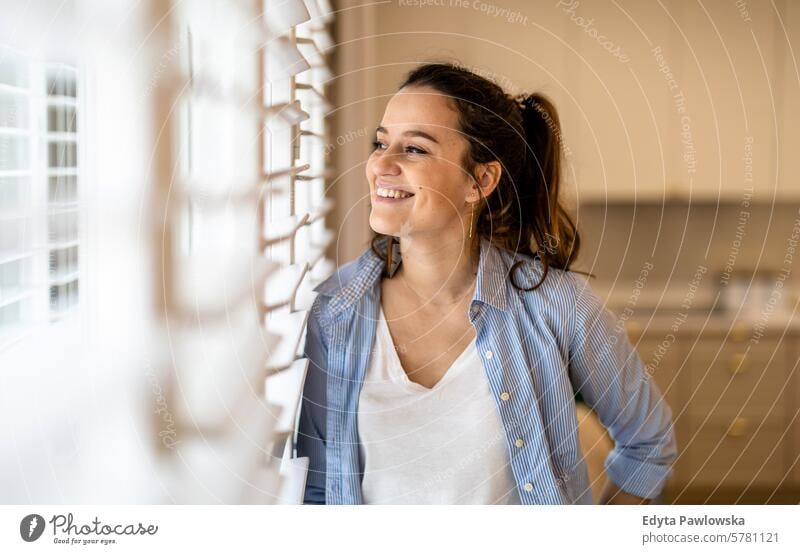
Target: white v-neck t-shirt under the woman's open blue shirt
444,445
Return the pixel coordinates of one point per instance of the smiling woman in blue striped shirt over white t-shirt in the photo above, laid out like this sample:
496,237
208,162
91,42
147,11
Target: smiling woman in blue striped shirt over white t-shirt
445,360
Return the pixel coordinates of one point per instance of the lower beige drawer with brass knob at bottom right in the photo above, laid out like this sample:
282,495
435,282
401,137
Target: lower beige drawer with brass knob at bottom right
733,452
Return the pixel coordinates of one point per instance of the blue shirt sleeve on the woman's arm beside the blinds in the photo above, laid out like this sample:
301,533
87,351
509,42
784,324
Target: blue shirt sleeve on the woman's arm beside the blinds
311,426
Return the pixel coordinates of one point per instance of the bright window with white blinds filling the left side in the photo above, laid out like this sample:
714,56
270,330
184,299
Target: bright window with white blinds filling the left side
162,225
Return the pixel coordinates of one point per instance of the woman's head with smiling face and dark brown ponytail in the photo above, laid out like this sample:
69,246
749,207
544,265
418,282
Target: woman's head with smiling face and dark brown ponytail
447,128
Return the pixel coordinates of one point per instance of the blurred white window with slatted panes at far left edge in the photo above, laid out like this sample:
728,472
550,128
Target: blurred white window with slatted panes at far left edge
39,193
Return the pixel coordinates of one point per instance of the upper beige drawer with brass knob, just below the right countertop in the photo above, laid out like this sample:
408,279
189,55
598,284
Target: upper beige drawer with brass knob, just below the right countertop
733,380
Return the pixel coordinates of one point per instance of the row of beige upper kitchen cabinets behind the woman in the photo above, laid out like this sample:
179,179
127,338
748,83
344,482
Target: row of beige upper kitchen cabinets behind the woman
704,109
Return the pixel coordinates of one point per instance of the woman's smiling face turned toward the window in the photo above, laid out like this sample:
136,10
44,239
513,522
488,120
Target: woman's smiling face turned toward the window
419,149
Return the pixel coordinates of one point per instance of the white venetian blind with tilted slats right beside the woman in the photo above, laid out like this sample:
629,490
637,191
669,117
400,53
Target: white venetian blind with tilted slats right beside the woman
242,174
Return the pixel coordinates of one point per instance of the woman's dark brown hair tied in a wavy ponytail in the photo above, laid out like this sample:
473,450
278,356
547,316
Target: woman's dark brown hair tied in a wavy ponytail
523,133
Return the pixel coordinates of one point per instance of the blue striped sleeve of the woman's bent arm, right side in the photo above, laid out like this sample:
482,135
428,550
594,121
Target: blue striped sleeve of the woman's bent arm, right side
613,381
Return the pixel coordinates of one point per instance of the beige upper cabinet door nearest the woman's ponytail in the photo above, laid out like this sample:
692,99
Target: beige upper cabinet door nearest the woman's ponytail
620,143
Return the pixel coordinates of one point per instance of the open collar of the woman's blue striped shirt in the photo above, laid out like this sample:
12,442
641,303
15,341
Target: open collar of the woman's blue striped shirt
490,287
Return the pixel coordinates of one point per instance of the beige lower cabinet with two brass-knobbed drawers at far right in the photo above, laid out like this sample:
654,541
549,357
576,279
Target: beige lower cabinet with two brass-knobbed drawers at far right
737,407
